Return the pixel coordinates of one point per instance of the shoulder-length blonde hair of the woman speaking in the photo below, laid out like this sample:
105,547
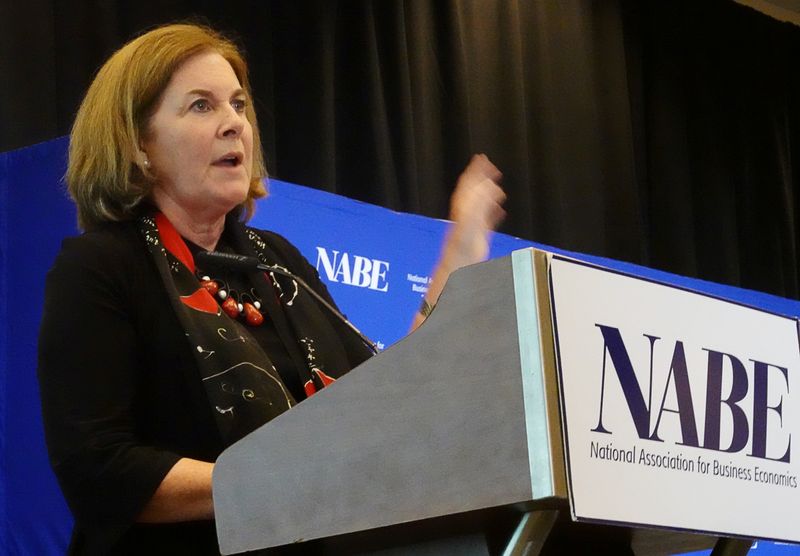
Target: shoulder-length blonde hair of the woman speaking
104,176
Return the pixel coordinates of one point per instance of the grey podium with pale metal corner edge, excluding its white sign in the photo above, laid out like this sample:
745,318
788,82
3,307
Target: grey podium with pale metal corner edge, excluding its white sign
449,442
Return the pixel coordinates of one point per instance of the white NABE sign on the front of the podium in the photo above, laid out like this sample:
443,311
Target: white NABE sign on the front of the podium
680,410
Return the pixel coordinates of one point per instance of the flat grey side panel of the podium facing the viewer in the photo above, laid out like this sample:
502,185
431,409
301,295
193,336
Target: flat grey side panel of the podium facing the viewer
433,426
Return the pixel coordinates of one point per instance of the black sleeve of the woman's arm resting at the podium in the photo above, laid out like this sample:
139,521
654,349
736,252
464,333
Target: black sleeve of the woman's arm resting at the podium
88,377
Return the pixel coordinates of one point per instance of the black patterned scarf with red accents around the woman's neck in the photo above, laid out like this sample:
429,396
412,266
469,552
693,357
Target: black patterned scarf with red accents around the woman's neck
243,386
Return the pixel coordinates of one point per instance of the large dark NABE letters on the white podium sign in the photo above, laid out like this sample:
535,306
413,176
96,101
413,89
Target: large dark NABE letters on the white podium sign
765,381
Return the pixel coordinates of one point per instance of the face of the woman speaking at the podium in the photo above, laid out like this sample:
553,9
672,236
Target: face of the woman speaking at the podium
199,141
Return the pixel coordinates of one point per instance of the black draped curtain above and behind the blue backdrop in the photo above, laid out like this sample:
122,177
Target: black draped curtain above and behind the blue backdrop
661,132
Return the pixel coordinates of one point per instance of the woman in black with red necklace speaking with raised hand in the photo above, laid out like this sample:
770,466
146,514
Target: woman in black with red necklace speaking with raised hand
168,363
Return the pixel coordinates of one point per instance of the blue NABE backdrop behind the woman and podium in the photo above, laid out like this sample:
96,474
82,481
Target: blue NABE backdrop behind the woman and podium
376,263
